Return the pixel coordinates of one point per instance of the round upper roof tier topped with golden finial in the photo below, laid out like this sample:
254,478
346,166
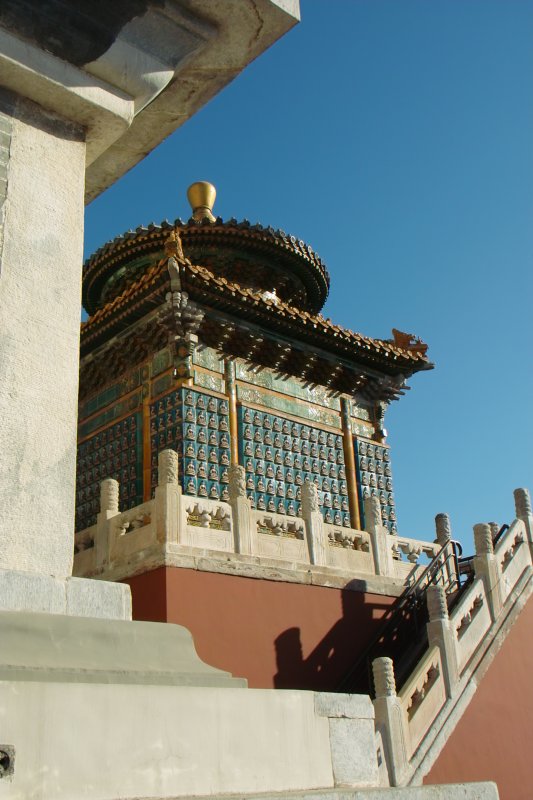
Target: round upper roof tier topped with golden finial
255,257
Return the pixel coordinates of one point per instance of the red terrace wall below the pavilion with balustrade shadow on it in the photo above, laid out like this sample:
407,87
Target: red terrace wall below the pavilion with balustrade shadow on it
274,634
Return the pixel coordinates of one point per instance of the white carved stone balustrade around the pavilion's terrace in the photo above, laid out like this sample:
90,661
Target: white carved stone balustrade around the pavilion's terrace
175,523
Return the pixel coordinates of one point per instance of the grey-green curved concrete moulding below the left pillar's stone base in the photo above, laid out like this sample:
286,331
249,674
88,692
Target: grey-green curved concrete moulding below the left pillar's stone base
56,647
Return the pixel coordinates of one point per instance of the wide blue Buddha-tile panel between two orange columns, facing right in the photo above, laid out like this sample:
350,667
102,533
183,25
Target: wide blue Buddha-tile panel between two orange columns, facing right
279,455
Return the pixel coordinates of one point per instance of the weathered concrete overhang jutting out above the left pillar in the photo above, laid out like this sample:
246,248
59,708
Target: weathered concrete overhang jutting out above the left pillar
132,76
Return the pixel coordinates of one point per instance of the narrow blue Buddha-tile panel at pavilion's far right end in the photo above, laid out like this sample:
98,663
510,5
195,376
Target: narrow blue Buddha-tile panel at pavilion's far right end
374,478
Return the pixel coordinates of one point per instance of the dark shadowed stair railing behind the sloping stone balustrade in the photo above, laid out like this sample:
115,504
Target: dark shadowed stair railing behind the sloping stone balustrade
403,635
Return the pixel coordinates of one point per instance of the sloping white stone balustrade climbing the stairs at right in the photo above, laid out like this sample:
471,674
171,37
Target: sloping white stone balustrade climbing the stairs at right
459,643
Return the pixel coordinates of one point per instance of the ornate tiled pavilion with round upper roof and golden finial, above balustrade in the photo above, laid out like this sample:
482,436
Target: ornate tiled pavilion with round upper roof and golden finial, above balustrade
206,337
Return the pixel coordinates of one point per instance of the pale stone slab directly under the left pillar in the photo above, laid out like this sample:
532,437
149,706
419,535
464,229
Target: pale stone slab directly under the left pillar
29,591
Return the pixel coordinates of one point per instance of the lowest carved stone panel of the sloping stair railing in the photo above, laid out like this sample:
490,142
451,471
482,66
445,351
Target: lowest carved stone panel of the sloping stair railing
422,697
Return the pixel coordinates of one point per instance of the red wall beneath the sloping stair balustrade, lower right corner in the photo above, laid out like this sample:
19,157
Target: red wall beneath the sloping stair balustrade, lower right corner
494,738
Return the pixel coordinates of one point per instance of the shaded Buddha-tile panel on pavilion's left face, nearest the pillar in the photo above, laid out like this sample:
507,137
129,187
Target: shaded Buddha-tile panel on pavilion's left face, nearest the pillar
115,452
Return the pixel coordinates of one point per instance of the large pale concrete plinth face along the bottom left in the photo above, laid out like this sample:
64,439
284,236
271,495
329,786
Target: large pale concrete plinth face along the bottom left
106,742
